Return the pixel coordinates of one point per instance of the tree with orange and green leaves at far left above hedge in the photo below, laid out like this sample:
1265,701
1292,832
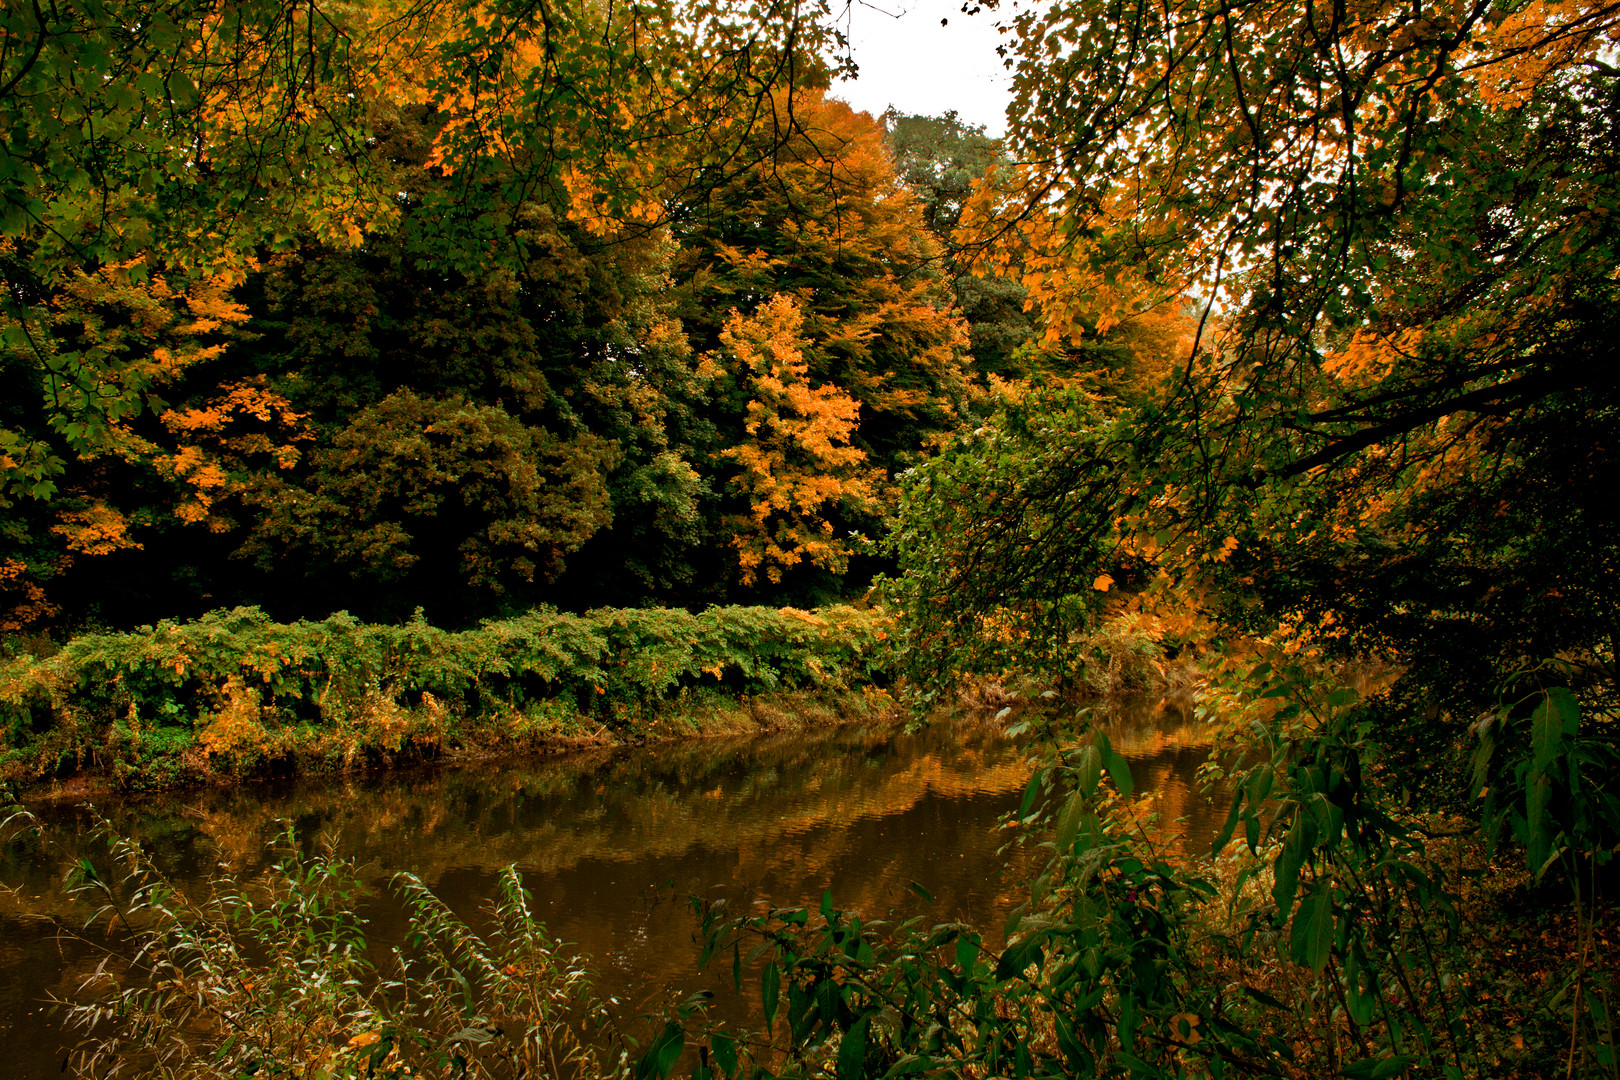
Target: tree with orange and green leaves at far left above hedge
147,469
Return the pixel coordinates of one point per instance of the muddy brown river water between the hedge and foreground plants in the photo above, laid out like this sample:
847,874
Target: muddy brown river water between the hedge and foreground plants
610,844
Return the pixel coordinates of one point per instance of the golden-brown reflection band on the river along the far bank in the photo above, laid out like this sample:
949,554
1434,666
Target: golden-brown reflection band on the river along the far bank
548,815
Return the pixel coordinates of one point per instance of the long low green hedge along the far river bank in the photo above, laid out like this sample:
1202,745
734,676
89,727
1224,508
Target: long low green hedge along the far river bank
237,694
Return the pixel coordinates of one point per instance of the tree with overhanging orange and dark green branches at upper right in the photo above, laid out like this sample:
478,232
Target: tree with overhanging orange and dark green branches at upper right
1397,223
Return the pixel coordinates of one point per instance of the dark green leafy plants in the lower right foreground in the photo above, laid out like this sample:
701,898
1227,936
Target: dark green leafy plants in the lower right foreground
1342,935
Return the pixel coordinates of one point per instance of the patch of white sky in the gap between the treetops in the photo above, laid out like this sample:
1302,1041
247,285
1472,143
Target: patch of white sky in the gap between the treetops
911,62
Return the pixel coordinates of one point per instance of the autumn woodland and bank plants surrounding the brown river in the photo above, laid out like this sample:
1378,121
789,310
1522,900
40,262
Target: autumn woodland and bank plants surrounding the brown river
448,368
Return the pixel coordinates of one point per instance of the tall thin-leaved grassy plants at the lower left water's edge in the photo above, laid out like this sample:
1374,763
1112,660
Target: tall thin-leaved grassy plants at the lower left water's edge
275,977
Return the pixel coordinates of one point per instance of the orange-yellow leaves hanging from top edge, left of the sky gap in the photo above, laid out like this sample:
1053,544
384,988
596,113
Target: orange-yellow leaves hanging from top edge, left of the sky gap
621,127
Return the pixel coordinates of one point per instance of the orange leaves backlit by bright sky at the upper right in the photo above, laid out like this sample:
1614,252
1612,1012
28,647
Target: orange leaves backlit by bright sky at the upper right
1164,200
